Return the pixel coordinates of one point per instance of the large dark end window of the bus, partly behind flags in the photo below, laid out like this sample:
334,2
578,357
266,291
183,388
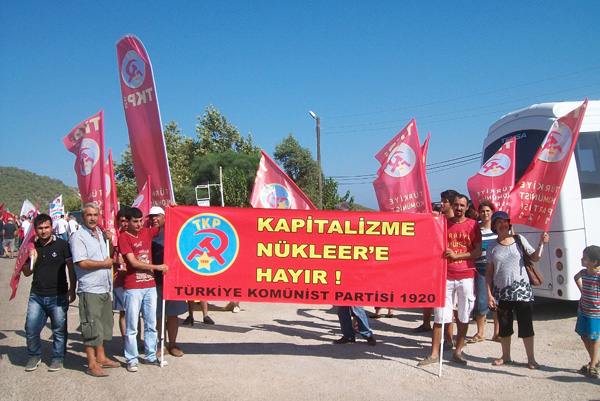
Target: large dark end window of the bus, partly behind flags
528,143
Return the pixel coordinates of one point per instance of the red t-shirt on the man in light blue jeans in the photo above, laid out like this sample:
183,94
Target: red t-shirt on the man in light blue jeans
141,247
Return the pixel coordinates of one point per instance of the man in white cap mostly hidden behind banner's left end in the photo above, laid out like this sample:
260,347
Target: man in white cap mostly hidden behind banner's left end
173,308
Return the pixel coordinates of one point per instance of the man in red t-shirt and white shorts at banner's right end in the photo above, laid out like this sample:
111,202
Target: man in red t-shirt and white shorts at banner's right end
464,246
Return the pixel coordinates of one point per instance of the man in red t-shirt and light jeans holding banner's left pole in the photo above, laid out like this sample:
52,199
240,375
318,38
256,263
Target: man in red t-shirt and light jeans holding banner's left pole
139,293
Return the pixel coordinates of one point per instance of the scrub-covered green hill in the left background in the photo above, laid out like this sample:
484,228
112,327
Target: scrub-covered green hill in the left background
16,185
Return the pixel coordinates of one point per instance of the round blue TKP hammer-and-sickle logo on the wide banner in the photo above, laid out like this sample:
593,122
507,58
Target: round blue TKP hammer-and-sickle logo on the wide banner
207,244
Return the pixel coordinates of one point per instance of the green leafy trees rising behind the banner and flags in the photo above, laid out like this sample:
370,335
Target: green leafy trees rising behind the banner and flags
218,143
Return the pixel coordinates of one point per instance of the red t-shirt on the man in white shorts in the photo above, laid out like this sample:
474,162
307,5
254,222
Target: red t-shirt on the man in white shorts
461,239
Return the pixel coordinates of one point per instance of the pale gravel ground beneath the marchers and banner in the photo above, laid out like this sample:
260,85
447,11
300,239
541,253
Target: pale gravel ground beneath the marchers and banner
285,351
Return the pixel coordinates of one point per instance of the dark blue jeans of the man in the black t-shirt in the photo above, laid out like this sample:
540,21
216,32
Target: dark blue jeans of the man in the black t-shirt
39,310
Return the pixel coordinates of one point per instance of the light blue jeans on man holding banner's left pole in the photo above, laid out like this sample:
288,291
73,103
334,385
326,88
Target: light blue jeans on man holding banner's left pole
143,299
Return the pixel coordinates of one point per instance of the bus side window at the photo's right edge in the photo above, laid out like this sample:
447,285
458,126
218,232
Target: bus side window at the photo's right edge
587,155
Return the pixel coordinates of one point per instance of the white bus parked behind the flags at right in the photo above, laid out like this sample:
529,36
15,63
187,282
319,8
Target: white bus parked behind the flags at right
576,220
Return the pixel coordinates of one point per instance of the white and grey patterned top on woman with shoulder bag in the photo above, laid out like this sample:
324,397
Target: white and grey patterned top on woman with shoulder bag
511,282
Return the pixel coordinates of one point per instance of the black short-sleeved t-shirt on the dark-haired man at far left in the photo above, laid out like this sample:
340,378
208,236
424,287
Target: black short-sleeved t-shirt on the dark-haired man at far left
49,271
